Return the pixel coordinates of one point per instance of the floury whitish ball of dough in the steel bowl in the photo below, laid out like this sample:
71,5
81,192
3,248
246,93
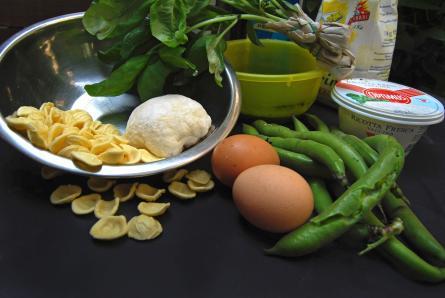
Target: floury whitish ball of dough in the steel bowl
165,125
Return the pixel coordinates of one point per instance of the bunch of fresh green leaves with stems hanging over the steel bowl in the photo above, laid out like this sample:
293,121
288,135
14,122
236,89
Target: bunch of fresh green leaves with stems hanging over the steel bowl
153,39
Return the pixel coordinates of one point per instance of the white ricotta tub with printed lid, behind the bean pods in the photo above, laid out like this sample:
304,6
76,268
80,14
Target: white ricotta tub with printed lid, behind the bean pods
370,107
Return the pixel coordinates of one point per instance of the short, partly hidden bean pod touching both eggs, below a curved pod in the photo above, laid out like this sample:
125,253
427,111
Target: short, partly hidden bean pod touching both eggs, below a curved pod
301,163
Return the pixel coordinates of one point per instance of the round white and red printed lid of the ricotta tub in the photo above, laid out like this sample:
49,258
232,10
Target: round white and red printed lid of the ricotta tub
388,101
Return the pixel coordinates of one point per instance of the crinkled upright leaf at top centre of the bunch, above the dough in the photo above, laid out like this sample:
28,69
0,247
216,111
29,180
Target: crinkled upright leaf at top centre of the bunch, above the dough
168,22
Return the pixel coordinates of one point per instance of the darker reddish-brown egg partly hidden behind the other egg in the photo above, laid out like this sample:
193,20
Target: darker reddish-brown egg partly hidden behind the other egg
238,153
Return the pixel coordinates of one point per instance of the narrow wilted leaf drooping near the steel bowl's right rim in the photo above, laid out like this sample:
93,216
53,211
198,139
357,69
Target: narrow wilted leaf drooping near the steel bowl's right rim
215,55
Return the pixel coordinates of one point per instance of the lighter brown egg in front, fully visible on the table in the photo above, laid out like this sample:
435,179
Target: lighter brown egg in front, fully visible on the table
273,198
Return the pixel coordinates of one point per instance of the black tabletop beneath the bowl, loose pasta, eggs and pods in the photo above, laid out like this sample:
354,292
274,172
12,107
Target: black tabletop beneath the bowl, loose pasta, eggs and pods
206,249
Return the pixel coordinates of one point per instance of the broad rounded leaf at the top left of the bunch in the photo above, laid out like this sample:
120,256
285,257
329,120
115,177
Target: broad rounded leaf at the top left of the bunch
114,18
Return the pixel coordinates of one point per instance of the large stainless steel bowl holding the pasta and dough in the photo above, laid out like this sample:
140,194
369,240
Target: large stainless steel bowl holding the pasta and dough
53,60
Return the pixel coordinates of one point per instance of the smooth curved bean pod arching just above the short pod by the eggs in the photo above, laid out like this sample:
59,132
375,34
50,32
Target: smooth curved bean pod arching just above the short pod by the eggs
319,152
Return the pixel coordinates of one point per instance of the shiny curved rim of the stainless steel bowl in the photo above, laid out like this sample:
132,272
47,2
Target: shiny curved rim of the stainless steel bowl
49,159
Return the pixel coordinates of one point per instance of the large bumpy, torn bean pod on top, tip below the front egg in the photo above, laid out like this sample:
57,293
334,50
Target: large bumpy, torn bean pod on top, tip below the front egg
349,209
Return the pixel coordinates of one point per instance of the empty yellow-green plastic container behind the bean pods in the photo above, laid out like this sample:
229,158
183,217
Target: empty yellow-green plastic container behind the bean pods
277,80
